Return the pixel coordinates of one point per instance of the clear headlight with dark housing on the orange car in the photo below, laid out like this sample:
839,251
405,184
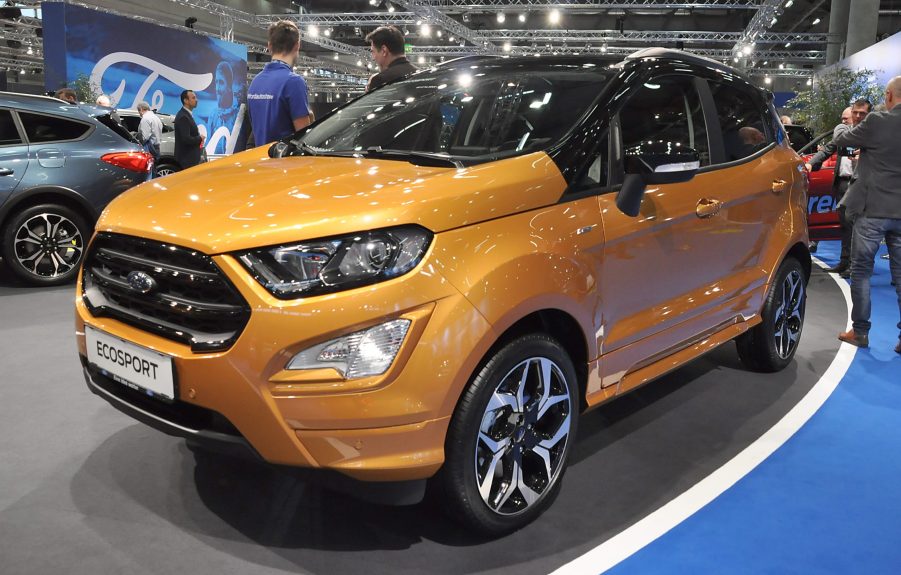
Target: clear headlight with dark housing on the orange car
330,265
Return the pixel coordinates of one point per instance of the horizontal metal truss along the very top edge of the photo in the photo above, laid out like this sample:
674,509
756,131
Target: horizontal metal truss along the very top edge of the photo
457,6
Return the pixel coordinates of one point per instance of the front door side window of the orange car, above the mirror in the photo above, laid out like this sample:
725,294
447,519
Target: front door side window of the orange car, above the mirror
666,109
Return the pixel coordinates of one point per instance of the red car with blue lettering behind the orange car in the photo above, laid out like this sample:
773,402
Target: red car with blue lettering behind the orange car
822,217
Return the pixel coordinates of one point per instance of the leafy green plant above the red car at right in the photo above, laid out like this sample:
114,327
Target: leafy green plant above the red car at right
820,108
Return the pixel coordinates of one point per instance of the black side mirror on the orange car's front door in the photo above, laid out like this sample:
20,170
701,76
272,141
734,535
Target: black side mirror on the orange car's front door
654,163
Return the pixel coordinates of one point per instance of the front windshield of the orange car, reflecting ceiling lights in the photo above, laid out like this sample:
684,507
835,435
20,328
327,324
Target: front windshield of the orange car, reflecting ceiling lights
465,111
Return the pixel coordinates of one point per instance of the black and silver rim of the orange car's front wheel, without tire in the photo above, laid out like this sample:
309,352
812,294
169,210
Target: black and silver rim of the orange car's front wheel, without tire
521,446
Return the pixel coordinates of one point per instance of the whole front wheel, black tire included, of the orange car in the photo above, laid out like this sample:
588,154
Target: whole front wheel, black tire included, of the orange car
511,435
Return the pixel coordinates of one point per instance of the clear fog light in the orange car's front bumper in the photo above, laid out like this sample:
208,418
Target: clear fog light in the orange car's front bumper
360,354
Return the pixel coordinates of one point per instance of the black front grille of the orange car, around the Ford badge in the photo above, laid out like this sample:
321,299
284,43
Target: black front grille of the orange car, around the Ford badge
189,299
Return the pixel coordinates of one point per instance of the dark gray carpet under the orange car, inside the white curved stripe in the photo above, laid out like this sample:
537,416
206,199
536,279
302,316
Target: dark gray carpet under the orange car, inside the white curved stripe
85,489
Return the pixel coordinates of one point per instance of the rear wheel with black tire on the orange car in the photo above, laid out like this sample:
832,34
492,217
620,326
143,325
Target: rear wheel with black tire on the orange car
771,345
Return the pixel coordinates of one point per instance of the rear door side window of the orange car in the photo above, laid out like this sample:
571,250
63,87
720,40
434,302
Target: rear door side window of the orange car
742,120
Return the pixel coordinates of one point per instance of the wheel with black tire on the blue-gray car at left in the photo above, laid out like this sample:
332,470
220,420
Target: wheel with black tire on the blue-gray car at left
45,244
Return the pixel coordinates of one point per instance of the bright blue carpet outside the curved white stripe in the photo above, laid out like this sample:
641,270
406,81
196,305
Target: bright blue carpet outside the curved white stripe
828,500
